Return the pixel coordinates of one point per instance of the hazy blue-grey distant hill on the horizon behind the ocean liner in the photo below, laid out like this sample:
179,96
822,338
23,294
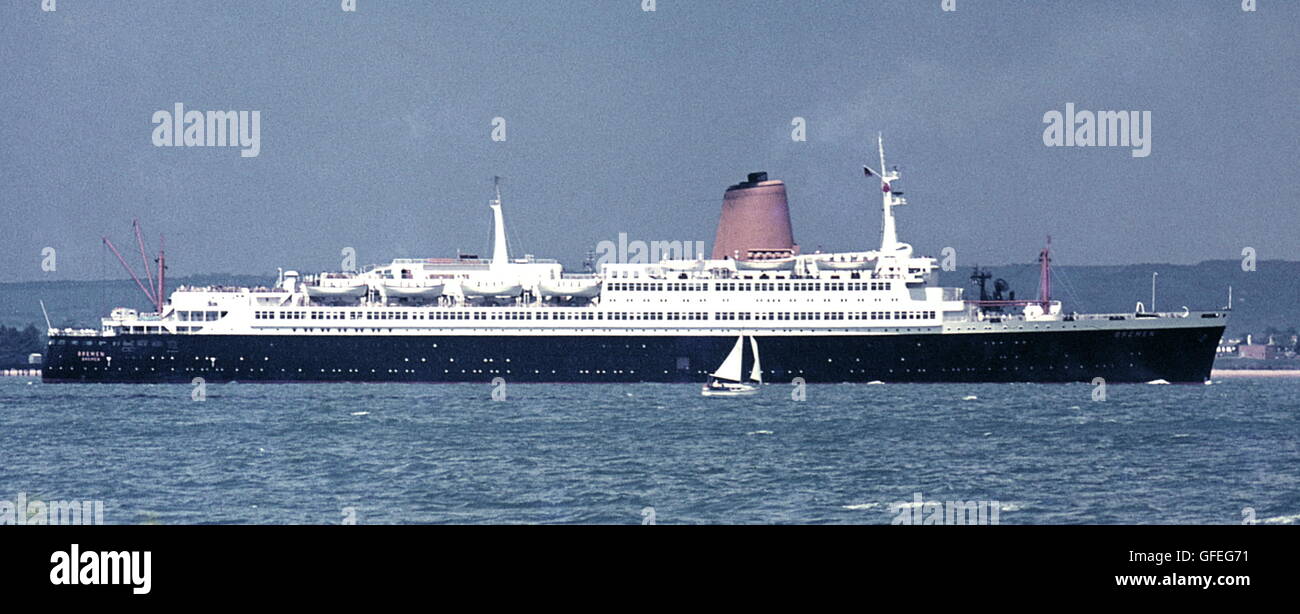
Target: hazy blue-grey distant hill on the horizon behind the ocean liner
1268,297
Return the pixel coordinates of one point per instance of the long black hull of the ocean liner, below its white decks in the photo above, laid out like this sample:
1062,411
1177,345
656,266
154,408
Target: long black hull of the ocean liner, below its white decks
1130,356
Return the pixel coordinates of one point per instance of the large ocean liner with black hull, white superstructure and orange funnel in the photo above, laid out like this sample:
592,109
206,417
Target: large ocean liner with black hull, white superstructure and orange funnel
857,317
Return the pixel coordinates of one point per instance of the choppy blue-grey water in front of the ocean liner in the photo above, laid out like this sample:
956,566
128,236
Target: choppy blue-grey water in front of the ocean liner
604,453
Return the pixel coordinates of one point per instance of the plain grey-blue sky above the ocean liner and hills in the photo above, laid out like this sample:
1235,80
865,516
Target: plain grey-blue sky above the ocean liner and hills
376,128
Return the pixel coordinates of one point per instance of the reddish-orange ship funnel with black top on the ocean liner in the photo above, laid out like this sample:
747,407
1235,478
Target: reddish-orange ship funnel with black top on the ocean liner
756,222
